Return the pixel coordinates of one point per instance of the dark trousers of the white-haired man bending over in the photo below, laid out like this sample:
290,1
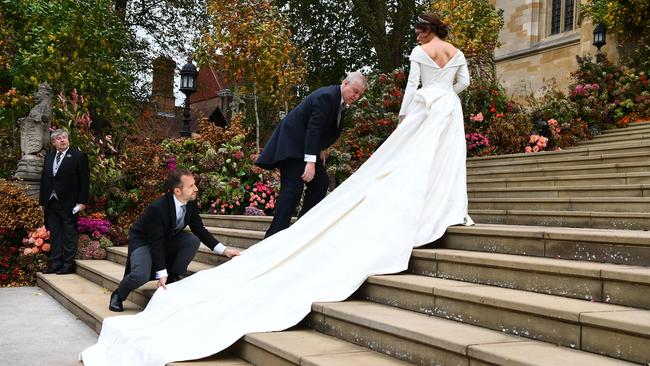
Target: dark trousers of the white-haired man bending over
291,187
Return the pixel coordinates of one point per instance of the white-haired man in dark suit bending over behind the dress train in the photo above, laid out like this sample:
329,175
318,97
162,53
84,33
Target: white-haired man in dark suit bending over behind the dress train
298,147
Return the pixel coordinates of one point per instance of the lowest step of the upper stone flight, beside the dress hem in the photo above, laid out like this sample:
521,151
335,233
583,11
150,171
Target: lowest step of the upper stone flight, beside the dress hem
573,219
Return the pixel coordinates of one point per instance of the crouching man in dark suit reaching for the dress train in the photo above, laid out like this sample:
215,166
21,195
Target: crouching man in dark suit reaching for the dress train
158,246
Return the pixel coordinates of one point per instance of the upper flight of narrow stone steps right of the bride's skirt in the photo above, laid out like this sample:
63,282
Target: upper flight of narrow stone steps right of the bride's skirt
601,183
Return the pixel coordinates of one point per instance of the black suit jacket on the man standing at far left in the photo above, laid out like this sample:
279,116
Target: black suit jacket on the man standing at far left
71,182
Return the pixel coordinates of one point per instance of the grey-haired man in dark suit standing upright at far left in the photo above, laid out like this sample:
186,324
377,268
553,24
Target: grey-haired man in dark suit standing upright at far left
63,193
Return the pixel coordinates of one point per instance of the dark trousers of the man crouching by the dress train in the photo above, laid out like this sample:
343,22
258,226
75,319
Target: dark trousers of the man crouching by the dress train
178,255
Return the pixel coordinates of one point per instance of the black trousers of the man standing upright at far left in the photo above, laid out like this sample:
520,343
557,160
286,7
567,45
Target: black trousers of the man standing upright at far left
63,235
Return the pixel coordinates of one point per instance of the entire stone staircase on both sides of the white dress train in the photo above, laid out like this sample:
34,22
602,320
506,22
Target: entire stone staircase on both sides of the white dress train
532,292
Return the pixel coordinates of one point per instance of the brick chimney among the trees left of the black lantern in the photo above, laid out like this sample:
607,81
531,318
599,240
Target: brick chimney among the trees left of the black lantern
162,89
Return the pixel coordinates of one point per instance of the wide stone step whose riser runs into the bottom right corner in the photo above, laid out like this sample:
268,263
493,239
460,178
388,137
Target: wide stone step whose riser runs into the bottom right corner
612,330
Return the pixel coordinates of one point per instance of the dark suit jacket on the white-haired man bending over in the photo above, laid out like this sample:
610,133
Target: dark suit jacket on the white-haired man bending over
308,129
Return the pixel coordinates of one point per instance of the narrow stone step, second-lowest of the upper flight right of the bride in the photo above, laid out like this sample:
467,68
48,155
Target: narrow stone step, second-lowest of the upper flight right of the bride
597,204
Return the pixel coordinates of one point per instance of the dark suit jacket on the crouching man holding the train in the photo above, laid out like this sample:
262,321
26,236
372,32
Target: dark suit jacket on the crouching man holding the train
157,225
